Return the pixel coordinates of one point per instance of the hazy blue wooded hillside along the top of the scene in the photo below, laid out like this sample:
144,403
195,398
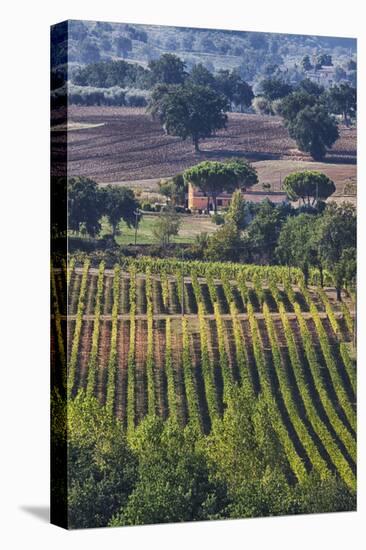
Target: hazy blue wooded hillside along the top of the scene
217,49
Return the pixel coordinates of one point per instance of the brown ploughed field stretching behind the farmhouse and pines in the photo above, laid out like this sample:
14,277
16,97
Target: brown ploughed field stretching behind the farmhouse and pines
129,146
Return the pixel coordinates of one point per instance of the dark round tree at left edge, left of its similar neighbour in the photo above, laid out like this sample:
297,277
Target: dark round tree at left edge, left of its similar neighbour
84,205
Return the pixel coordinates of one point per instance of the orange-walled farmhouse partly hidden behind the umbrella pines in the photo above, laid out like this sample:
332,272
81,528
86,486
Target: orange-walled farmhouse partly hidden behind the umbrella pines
197,200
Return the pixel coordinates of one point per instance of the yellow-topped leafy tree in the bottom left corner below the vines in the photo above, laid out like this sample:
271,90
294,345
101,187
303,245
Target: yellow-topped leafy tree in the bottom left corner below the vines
101,468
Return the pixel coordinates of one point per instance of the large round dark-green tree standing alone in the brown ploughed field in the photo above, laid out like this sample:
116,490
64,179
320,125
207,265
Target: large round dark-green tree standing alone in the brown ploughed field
189,111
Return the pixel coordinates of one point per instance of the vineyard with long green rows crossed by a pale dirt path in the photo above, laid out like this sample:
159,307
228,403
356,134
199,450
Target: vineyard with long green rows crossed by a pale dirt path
175,338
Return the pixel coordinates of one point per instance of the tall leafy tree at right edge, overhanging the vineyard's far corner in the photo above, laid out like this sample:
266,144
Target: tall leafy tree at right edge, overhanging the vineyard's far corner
337,243
